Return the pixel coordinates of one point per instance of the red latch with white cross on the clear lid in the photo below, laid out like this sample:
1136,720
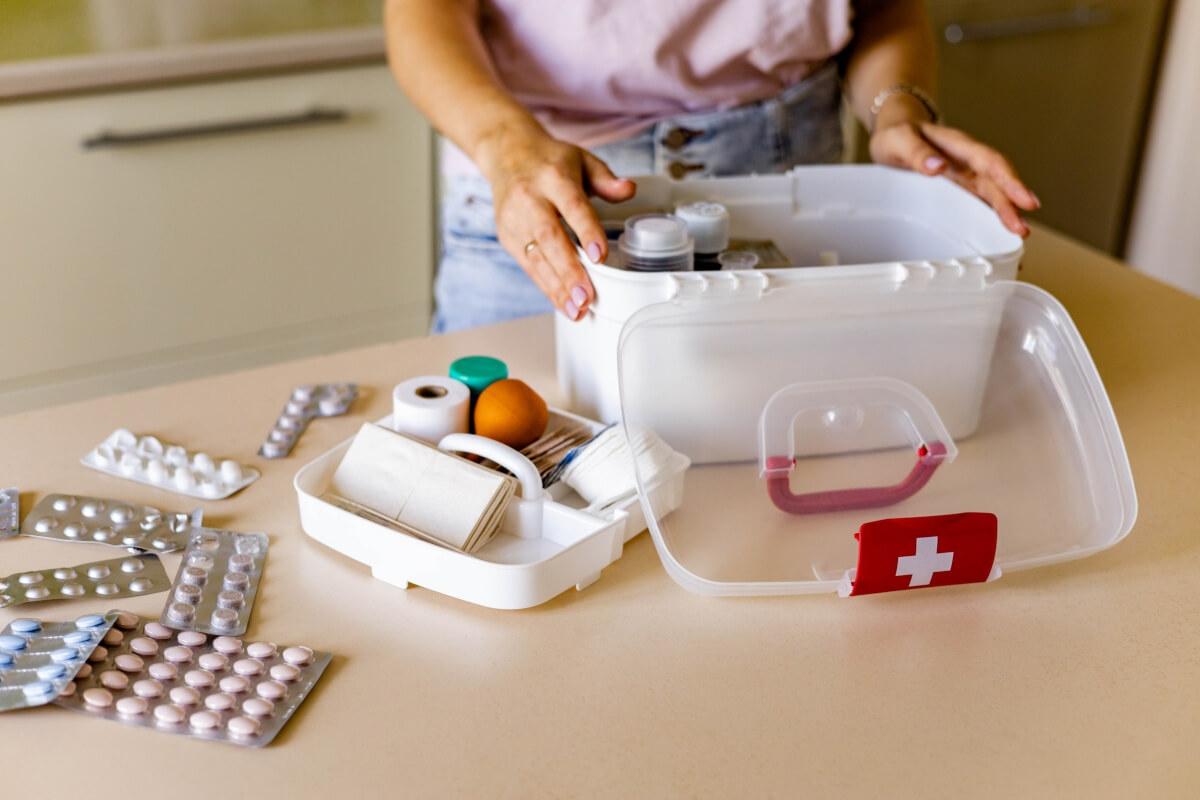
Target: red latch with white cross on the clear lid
915,552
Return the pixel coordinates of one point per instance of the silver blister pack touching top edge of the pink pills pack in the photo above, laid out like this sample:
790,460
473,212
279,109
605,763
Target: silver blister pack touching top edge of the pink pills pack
215,588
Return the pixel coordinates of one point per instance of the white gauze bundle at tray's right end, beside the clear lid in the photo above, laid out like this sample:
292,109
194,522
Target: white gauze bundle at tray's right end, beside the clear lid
603,473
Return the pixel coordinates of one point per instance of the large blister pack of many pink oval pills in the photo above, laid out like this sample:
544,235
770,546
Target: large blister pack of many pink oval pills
187,683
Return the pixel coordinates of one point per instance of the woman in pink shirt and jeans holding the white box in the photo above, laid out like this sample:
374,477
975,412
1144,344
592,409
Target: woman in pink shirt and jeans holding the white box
548,101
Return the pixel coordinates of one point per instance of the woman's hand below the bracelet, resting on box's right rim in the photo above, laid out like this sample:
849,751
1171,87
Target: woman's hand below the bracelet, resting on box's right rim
905,139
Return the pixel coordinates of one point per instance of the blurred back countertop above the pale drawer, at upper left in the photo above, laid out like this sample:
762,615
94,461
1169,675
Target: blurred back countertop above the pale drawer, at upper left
68,46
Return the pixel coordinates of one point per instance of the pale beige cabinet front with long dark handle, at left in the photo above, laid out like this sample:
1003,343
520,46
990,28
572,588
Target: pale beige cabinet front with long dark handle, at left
164,233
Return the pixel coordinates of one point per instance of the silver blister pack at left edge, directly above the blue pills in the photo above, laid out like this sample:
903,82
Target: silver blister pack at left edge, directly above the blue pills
128,578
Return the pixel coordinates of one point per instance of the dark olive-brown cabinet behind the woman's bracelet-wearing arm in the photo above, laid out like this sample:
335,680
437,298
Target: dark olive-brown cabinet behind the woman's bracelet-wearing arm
1063,89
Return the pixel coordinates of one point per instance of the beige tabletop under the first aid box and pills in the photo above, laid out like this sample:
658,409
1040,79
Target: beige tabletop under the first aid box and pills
1081,679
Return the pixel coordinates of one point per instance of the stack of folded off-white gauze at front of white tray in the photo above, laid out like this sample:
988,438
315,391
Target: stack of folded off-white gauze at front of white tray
423,491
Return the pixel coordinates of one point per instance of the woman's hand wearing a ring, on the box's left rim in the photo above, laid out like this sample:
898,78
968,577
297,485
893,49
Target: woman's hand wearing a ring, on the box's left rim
537,182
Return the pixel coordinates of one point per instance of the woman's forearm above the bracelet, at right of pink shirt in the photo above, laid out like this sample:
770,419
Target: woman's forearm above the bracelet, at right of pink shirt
893,45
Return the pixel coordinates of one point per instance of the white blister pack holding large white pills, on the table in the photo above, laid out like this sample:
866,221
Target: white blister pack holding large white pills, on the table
147,460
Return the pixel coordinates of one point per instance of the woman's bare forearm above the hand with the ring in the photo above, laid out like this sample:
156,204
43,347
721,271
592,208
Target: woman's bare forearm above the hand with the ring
440,61
